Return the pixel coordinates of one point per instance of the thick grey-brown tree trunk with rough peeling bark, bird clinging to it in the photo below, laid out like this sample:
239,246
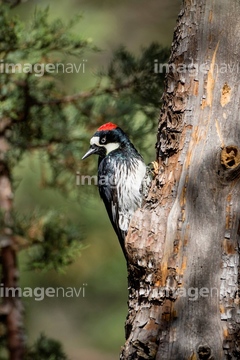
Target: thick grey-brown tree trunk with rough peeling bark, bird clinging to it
183,246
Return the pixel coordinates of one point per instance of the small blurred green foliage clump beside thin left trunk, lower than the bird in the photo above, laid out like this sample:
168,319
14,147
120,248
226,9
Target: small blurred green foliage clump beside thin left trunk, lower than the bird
54,239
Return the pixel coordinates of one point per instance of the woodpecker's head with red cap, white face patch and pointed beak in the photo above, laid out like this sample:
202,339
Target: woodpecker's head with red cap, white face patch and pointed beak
107,138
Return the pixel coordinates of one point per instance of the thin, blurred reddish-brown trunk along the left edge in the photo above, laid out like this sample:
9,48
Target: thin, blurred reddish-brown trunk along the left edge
10,305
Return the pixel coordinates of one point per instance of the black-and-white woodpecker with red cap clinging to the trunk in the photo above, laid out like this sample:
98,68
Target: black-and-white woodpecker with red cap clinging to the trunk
123,177
